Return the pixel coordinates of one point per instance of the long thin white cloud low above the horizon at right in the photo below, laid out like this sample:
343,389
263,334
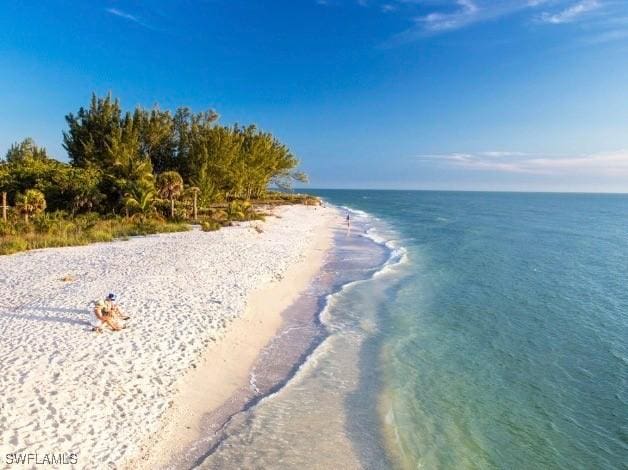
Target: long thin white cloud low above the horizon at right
602,164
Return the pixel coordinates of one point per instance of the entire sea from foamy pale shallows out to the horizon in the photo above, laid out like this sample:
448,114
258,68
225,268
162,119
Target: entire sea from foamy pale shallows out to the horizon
457,330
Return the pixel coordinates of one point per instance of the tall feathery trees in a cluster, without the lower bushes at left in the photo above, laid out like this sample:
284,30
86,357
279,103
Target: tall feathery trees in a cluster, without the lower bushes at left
224,163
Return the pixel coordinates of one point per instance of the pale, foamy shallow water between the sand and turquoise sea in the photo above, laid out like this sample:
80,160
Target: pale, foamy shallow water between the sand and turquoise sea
277,431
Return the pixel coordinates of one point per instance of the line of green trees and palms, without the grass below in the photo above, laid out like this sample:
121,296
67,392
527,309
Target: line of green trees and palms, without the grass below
143,161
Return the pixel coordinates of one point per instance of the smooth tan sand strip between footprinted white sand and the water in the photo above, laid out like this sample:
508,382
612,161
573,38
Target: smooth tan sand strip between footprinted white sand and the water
196,410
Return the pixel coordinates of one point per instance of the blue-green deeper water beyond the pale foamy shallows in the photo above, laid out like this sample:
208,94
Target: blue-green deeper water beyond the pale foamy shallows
505,343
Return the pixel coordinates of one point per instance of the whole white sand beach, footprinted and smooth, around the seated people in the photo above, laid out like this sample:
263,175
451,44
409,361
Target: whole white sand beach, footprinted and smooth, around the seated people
202,307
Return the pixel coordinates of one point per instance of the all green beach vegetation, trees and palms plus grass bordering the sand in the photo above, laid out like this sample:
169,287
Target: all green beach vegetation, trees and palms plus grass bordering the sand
141,172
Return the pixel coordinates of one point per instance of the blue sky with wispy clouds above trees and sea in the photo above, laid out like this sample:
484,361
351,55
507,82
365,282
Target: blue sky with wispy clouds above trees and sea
425,94
